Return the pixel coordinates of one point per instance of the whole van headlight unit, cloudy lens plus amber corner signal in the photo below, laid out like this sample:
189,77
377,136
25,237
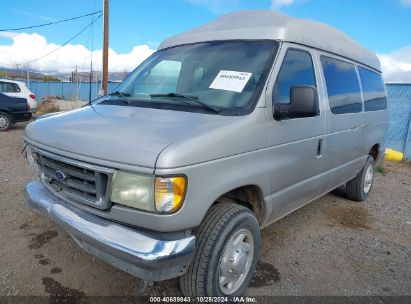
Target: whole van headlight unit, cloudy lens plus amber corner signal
146,192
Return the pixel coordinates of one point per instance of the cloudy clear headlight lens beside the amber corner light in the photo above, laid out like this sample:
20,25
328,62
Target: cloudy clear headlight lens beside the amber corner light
133,190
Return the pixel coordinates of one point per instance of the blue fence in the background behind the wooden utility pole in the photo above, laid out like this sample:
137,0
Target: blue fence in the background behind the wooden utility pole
68,90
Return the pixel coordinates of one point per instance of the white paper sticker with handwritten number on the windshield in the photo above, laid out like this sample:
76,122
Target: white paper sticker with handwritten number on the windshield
230,81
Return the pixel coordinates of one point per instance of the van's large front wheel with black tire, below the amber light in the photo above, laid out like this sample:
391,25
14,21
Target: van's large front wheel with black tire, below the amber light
225,224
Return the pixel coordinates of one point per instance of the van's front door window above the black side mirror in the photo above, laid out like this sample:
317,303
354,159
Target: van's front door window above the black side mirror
296,69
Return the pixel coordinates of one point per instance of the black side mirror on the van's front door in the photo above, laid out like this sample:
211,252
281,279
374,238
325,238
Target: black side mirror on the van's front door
303,103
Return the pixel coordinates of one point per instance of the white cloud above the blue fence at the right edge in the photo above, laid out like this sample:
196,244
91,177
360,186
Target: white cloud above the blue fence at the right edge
396,66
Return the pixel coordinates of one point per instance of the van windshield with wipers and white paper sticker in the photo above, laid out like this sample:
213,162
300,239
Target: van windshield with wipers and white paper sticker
223,77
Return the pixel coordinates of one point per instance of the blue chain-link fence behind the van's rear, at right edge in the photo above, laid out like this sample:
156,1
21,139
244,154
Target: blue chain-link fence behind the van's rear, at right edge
399,127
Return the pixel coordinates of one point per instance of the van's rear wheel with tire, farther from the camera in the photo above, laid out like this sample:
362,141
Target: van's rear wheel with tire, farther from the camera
360,186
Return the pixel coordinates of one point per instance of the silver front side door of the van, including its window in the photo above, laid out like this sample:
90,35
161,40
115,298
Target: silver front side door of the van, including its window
296,145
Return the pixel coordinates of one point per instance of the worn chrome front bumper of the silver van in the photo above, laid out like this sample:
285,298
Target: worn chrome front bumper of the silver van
128,249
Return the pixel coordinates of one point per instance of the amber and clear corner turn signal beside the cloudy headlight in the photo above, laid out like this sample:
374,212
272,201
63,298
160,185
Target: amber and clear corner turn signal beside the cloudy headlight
169,193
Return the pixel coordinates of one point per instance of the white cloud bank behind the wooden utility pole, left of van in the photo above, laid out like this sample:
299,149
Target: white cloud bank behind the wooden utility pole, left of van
26,47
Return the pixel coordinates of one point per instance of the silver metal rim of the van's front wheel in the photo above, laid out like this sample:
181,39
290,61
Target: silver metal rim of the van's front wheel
235,263
